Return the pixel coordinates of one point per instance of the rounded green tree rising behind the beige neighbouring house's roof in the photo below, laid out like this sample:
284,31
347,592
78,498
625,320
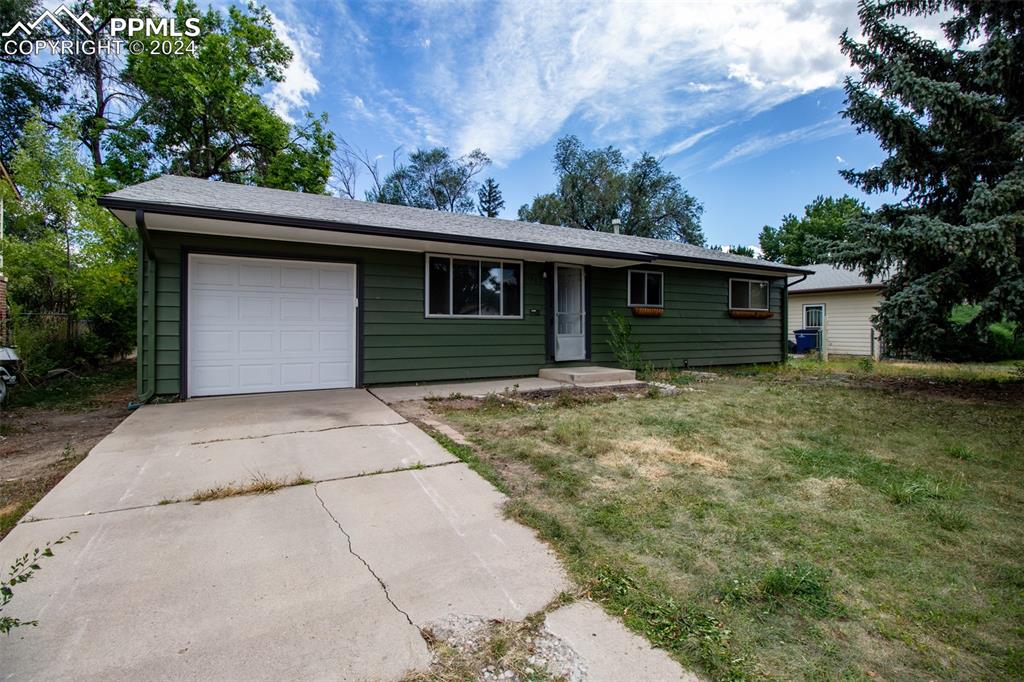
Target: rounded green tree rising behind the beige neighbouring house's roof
805,240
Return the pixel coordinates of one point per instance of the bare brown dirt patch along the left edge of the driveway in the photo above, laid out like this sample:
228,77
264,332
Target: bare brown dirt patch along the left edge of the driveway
39,439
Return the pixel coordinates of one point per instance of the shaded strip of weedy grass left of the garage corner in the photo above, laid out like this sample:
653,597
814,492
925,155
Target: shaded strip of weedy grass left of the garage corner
79,393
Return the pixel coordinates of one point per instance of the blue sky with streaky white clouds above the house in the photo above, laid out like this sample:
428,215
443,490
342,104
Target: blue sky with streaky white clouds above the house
741,100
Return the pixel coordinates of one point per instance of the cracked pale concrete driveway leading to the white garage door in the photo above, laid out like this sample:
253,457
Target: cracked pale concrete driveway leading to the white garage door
331,580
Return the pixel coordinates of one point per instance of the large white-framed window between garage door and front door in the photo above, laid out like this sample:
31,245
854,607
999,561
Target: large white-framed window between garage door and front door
472,288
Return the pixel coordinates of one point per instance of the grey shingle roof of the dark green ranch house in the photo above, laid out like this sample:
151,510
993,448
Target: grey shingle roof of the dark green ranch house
187,196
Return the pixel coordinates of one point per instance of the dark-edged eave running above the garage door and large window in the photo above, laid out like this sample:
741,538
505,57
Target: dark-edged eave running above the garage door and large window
116,203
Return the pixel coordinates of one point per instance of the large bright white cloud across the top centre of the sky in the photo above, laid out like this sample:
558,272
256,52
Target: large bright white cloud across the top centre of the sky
619,66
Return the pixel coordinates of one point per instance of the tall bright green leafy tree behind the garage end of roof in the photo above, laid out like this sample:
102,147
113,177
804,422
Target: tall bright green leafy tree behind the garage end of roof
204,116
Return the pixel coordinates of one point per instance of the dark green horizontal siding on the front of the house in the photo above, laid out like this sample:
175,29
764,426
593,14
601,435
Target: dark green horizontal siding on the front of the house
400,345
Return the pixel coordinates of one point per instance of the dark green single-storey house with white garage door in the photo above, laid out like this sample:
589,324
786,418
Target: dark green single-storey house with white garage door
253,290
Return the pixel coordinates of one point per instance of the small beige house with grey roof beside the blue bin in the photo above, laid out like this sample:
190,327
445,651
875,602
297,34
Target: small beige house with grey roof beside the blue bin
841,302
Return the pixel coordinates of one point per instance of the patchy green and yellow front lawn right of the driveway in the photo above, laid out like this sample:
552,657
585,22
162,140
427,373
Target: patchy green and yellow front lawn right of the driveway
796,530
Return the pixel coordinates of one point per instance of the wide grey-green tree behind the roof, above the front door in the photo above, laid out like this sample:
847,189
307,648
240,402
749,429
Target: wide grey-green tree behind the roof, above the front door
596,187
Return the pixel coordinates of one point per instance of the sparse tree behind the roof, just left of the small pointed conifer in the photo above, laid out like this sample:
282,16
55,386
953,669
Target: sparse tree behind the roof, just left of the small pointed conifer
434,180
